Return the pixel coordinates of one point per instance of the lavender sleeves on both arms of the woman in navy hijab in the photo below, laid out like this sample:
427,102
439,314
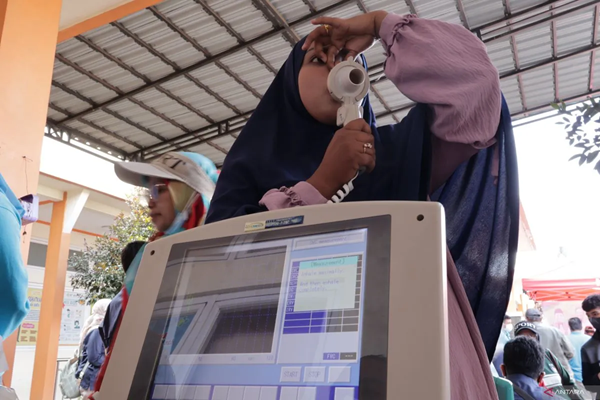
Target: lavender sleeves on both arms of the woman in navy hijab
442,65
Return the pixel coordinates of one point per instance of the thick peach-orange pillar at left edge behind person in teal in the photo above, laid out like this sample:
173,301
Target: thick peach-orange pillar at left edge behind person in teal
28,32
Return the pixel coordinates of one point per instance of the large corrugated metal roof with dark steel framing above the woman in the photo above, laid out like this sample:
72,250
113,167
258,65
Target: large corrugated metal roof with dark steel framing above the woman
187,74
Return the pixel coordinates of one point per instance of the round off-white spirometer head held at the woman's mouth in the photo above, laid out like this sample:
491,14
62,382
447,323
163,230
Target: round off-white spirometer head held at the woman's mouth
348,83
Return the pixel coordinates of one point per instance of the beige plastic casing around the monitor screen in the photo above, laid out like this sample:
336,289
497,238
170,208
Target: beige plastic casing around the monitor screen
418,354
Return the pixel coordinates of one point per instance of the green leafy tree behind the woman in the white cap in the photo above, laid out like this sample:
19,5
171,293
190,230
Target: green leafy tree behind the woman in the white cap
98,267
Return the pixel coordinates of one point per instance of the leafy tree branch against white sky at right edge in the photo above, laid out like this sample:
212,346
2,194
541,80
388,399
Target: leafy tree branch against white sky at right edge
582,125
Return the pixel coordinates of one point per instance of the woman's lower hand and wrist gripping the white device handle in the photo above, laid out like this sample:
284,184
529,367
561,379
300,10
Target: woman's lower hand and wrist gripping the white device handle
345,155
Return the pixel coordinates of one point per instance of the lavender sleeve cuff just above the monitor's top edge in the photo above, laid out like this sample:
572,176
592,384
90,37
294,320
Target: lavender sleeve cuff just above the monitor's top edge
301,194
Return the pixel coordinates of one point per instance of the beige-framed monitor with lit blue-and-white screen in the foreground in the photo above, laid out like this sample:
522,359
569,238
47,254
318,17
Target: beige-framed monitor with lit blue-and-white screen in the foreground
332,302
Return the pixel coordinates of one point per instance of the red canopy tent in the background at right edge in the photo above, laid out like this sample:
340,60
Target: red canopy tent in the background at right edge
562,289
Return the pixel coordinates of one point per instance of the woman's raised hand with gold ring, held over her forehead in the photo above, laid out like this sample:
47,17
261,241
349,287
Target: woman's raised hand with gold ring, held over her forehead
353,35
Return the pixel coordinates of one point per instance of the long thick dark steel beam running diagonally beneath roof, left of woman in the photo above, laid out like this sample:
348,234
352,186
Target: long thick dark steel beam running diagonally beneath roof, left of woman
210,60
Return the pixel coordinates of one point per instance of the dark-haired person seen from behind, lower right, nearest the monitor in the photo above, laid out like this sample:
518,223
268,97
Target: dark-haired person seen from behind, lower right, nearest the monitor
523,365
